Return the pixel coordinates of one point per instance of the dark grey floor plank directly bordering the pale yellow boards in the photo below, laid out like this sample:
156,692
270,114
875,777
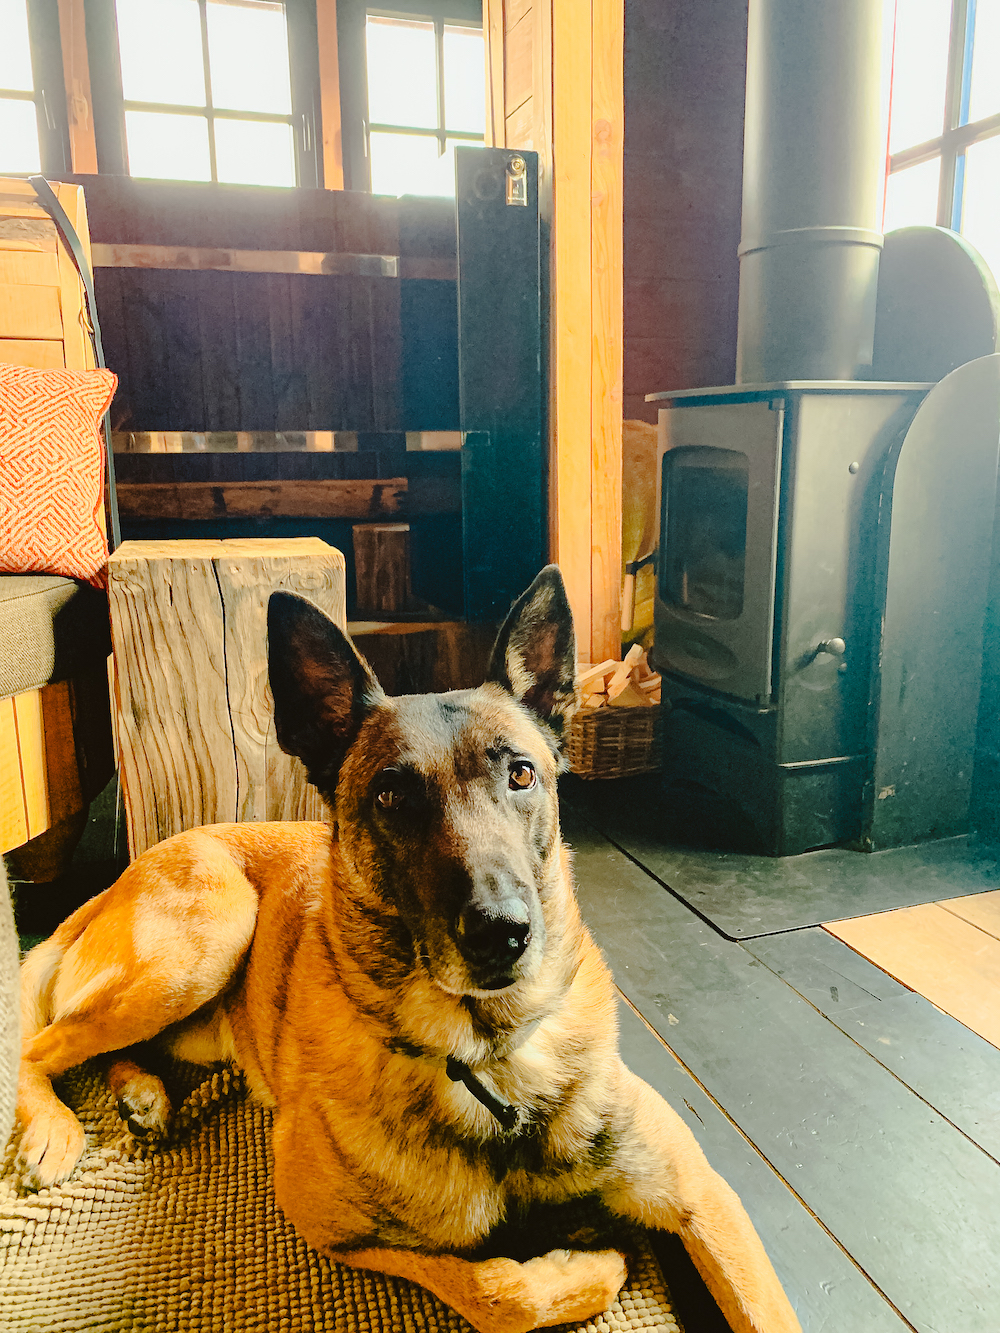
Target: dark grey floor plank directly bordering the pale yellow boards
954,1070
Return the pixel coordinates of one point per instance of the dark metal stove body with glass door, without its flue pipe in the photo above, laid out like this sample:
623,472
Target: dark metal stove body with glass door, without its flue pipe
765,597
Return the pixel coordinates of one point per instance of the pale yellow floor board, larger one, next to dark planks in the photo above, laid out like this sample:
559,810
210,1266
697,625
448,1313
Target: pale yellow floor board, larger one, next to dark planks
934,952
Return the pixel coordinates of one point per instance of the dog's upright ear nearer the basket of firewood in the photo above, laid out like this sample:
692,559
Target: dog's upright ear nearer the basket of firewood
535,654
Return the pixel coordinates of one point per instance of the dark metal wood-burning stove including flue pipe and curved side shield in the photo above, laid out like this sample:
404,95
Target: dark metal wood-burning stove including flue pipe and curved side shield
775,579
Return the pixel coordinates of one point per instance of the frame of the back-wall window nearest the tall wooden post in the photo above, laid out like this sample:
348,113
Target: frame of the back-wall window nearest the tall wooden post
353,17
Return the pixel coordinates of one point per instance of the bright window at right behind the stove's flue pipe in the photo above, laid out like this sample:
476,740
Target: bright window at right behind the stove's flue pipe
945,130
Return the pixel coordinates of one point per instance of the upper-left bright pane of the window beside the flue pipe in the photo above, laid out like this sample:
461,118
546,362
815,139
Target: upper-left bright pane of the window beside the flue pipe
919,71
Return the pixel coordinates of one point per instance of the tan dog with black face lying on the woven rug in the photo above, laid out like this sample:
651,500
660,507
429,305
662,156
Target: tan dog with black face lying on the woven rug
410,987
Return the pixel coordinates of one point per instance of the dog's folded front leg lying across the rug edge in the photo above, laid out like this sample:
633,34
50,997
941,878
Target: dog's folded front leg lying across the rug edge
503,1296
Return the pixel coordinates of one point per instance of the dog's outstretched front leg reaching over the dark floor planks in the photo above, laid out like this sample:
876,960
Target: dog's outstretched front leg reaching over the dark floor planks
663,1180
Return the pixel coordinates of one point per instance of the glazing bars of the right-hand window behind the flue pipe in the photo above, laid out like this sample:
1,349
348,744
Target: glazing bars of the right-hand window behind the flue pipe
959,133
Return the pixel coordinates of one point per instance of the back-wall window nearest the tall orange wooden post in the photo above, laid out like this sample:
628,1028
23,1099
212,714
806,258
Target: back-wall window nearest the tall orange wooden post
413,89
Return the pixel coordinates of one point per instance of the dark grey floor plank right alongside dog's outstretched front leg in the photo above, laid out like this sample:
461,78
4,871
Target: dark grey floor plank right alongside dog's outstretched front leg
826,1288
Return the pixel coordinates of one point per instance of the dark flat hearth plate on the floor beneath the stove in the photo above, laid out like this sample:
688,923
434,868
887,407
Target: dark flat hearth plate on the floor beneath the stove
747,896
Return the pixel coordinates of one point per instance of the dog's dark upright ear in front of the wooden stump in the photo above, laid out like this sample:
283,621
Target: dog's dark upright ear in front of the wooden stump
321,686
